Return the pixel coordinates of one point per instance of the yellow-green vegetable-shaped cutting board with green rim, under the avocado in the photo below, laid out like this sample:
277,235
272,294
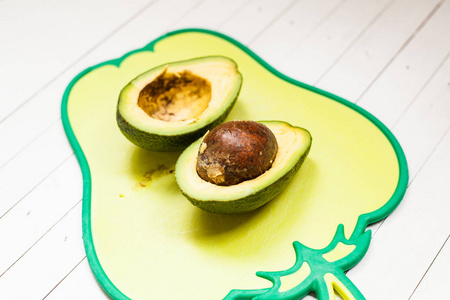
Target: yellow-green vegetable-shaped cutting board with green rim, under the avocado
144,240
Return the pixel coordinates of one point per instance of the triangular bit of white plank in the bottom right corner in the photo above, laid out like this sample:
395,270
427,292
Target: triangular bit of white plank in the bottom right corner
437,280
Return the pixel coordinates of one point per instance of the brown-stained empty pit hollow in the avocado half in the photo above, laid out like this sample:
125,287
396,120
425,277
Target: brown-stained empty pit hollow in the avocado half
173,97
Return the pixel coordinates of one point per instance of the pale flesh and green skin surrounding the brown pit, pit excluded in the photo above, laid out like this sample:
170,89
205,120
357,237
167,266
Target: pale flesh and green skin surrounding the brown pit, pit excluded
294,144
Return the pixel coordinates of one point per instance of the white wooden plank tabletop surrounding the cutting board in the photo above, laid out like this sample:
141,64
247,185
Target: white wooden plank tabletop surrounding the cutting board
390,57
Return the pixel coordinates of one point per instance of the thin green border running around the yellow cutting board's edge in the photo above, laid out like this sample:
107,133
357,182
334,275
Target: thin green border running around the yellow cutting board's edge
363,221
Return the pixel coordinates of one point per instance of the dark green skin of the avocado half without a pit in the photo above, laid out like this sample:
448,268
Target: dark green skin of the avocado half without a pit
166,143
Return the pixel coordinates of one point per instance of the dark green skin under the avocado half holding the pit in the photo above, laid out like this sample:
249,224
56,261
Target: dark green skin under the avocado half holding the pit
253,201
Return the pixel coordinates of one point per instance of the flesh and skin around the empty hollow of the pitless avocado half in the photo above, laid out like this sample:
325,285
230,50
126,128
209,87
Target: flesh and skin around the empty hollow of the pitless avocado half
164,137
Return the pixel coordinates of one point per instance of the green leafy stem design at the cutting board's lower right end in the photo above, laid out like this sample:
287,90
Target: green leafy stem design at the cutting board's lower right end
324,276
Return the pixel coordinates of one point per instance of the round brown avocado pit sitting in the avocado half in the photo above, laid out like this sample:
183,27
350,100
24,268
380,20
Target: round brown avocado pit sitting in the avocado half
236,151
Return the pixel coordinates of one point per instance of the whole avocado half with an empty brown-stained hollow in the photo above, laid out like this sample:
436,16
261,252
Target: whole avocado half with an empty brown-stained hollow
170,106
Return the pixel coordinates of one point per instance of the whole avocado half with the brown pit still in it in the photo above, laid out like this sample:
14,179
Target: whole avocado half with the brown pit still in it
241,165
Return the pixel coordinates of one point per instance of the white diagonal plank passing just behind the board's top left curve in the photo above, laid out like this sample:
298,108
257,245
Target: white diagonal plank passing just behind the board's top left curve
43,109
